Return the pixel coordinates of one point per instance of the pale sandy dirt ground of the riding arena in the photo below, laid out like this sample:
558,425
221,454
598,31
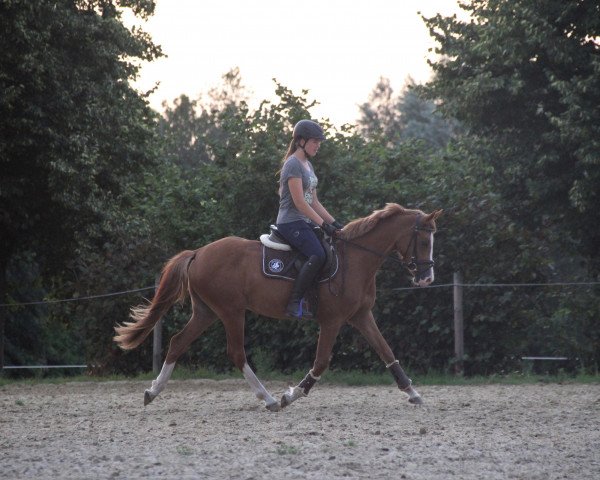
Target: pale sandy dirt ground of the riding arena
210,429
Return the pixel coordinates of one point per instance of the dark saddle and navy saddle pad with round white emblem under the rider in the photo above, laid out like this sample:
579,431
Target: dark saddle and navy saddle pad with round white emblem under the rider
281,260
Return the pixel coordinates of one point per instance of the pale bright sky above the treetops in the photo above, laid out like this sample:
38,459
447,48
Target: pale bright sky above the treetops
336,49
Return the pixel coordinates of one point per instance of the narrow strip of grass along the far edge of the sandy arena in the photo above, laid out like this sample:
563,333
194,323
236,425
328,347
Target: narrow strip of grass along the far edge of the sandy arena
349,378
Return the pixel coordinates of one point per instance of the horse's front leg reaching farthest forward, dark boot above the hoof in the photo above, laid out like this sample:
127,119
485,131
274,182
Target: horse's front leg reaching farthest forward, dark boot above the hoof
364,322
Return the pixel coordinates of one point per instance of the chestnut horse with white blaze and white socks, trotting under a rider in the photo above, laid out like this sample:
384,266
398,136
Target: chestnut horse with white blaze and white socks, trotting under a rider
224,279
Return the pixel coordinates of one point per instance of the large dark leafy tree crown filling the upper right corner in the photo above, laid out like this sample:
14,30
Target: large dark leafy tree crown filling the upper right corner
523,76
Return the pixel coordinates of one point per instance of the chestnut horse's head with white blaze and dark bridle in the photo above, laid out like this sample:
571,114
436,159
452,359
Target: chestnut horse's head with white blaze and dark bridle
418,254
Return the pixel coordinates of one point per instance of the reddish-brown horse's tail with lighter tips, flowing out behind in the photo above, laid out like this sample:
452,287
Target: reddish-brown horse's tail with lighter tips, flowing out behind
173,287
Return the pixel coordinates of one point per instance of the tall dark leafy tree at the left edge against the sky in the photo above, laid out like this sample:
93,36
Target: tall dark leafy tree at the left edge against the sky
73,133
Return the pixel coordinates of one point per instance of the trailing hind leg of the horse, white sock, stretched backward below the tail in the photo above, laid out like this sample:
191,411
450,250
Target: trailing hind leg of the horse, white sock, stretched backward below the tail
202,318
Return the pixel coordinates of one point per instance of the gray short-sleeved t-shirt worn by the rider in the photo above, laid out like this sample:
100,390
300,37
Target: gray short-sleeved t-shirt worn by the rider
292,168
